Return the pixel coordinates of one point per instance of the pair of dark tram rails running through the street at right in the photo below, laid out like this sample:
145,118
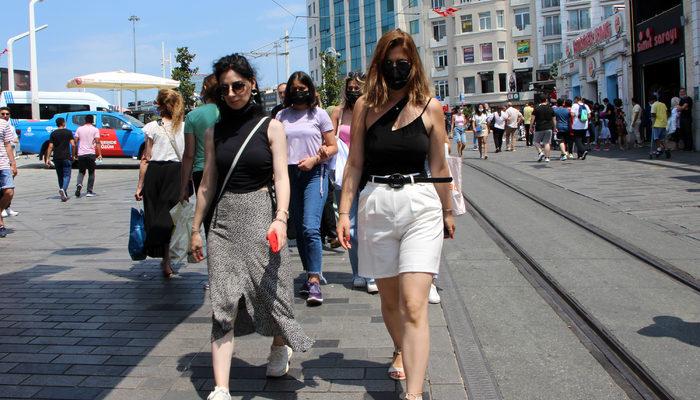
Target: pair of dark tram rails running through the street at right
630,373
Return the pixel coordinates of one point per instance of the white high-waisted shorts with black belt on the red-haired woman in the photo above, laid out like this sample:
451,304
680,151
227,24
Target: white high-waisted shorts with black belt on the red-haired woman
399,230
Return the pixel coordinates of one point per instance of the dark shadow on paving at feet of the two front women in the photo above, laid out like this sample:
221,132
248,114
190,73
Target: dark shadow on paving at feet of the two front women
318,375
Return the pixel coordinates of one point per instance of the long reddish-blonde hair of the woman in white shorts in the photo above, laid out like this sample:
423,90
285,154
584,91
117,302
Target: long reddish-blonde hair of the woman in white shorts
376,91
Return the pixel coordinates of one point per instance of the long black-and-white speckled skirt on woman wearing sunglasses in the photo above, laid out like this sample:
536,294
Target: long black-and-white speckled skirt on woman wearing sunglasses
251,287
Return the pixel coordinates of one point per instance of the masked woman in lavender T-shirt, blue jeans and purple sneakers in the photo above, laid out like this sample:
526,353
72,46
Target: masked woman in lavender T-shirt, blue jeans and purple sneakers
311,143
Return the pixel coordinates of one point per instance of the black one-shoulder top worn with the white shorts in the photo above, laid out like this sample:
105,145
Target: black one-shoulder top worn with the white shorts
402,151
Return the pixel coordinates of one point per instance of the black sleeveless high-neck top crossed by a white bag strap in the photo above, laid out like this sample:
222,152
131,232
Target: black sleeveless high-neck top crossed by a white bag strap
254,168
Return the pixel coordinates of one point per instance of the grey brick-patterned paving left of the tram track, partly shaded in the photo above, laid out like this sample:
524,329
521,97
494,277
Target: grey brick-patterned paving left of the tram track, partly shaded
80,320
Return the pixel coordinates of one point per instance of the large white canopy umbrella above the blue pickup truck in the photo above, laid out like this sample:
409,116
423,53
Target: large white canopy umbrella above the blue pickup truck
121,80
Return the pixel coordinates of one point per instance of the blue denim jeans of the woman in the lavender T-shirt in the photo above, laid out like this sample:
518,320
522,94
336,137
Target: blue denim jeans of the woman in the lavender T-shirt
309,190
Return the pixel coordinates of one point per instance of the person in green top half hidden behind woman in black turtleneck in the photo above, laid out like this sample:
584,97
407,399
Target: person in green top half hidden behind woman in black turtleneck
197,122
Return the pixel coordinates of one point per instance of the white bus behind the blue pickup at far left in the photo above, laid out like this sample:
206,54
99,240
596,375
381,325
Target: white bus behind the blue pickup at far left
51,103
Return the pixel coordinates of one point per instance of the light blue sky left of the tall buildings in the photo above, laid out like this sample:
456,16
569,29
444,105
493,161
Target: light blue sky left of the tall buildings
88,36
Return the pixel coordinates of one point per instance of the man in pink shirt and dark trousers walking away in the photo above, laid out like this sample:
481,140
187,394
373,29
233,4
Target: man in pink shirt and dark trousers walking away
87,149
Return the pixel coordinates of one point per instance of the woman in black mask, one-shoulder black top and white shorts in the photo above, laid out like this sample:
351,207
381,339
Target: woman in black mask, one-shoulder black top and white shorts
403,215
